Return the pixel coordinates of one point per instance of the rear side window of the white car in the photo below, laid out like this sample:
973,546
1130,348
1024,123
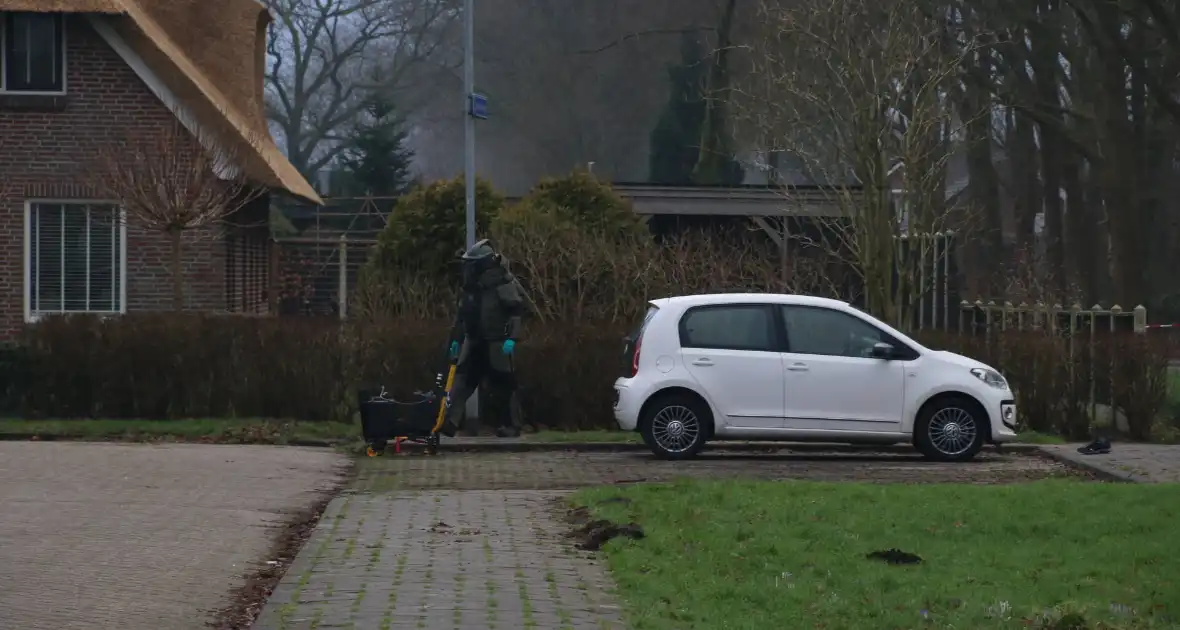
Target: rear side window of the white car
746,327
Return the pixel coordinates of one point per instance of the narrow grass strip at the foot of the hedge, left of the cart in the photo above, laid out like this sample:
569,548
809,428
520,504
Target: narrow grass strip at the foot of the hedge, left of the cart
225,431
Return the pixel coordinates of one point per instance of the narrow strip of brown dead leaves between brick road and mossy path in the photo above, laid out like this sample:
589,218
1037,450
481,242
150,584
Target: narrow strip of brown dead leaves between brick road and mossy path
248,600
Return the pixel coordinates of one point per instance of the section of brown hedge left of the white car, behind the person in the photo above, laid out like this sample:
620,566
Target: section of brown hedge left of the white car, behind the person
169,366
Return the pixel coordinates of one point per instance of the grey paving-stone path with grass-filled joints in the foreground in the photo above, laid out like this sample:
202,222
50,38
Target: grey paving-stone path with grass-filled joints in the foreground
442,561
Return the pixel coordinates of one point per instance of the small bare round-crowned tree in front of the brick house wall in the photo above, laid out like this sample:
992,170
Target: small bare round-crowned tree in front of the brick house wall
176,183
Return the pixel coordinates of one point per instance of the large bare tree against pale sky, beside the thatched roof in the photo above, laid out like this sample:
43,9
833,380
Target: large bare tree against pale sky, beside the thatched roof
325,57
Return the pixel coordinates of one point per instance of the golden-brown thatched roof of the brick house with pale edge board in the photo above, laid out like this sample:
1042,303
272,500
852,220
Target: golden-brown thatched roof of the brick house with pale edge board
212,54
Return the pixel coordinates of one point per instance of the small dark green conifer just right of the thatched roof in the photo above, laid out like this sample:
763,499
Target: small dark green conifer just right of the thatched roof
376,160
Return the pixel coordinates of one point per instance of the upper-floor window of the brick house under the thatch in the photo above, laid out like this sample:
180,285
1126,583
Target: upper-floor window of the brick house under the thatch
32,51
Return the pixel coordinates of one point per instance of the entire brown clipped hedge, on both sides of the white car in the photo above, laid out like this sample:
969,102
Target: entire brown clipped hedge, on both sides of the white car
169,366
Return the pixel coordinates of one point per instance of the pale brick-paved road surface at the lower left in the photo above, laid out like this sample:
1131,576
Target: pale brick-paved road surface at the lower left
137,537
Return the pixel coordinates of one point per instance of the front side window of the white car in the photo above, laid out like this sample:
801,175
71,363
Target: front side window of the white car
830,333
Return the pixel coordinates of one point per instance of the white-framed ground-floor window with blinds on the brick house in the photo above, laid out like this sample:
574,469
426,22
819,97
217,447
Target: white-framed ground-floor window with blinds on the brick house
75,259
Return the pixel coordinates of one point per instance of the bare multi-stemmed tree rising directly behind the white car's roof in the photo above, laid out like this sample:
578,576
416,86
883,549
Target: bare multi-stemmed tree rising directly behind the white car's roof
858,90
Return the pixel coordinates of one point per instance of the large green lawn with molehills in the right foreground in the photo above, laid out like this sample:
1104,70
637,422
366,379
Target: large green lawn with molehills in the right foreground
765,555
